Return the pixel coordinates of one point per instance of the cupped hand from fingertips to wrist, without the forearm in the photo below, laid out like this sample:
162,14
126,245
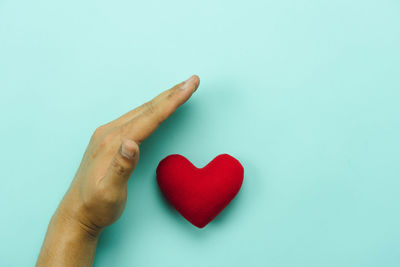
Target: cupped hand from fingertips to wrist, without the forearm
98,193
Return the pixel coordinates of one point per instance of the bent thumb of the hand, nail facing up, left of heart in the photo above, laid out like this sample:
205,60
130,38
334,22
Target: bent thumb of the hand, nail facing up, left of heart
123,163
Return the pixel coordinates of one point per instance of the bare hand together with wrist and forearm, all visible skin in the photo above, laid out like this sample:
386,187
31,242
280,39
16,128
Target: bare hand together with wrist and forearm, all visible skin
97,195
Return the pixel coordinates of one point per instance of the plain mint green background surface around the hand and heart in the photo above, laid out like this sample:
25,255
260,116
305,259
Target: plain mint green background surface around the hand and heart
304,93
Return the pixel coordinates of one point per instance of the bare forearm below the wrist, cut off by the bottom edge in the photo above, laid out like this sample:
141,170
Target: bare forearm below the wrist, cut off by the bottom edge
67,243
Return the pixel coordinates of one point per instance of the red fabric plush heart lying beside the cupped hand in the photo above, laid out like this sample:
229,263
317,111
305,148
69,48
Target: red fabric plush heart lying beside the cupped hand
199,194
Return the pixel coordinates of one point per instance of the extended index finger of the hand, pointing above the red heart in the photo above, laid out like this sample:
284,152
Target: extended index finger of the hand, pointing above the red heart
154,112
